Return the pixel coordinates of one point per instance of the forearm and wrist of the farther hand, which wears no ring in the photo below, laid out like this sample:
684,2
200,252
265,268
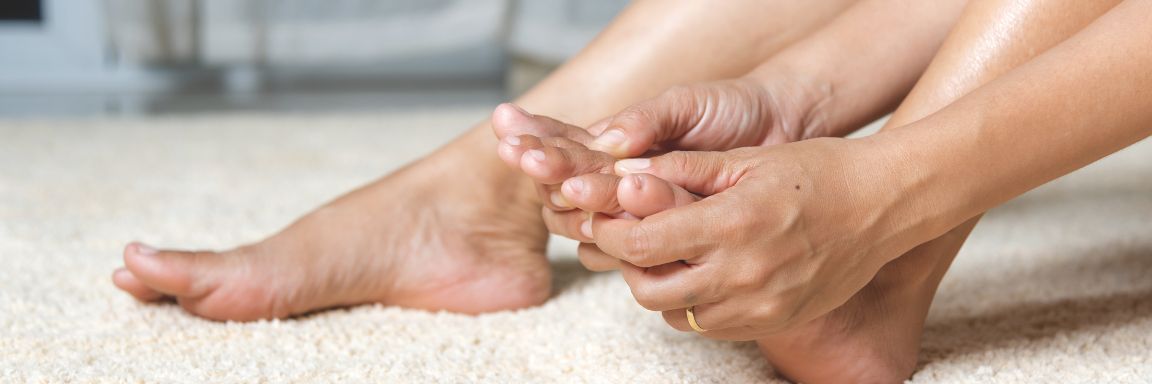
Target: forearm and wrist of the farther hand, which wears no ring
863,63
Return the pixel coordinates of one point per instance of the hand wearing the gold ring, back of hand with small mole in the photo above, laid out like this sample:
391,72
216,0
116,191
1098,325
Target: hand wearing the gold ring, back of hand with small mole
785,236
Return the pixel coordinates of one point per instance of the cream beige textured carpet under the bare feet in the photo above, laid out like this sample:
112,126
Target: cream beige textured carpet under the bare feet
1056,288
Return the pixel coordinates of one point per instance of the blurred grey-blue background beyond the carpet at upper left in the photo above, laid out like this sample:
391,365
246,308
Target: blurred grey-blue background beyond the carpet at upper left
163,57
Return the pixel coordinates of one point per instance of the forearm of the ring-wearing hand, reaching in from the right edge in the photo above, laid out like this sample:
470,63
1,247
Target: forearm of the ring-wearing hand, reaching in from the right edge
1081,101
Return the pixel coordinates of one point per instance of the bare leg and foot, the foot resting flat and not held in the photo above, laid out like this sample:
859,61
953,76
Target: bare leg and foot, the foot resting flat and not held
433,237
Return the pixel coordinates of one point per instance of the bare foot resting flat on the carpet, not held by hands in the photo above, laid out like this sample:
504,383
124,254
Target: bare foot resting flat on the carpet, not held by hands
445,234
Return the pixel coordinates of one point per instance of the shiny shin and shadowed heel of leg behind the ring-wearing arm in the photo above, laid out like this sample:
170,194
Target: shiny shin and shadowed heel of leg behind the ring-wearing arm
877,334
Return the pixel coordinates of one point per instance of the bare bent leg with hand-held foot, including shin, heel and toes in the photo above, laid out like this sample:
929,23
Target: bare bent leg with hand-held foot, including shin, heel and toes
875,337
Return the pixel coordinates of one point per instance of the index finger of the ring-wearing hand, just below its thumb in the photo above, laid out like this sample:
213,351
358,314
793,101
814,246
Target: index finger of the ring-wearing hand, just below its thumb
680,234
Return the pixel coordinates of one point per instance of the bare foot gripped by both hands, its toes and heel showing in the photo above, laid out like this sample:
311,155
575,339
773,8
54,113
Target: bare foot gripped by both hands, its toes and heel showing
874,338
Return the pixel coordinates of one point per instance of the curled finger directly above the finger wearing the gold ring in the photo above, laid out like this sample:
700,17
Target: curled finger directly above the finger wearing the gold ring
673,285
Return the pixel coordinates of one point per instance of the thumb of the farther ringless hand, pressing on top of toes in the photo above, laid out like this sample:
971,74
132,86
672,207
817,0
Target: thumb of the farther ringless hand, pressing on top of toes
640,127
